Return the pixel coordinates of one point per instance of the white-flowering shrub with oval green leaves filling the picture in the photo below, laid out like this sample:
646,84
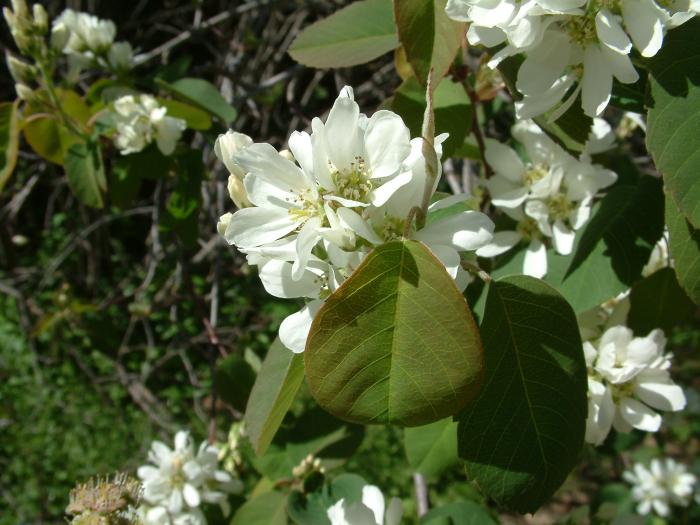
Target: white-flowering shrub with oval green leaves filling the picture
502,318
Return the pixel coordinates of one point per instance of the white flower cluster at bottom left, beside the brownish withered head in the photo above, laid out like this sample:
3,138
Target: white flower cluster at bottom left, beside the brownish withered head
180,480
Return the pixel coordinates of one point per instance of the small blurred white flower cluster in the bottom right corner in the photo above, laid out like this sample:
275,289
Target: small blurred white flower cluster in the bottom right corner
663,484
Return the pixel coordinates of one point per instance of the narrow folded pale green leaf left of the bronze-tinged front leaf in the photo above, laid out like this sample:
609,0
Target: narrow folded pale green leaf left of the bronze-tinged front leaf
277,383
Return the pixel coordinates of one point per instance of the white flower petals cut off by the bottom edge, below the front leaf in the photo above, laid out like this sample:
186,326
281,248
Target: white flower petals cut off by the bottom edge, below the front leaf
368,512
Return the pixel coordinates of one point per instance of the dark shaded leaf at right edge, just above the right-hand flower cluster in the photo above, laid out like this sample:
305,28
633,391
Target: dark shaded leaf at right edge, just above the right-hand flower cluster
658,302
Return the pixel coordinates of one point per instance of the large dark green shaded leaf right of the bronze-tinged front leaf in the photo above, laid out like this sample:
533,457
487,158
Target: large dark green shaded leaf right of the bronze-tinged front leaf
522,435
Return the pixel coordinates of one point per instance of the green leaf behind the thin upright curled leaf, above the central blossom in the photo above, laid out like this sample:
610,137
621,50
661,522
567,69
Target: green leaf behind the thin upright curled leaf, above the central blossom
451,105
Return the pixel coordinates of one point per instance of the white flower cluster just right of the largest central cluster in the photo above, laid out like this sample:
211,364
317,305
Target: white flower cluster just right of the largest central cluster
550,196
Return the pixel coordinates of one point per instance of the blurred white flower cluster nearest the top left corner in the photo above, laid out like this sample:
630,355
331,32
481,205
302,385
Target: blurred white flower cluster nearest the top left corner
86,39
